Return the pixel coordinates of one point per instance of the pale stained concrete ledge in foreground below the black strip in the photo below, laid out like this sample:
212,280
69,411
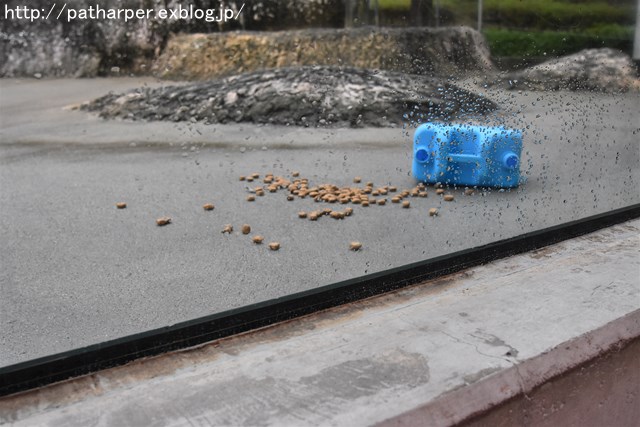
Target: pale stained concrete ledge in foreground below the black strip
437,352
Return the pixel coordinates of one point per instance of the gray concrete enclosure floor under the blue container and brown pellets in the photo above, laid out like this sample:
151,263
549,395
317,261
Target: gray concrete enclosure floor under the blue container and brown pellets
75,271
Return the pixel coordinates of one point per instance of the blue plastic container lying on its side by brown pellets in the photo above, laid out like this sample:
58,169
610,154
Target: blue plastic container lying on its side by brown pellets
484,156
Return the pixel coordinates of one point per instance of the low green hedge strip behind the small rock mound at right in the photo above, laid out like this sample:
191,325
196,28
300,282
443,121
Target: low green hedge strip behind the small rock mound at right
508,43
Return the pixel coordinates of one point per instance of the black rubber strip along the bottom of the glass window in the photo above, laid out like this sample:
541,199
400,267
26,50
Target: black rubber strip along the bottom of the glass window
59,367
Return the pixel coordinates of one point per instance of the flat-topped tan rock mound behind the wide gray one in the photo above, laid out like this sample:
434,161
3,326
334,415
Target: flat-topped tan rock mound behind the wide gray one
428,51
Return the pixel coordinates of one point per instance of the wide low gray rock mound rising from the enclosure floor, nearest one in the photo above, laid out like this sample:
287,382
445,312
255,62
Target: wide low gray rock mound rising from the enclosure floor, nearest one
303,96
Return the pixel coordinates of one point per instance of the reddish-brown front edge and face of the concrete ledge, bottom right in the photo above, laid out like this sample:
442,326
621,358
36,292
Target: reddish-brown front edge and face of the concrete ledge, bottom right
515,387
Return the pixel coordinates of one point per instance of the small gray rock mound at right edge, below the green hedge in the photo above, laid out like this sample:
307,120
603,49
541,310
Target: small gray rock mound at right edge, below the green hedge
590,69
